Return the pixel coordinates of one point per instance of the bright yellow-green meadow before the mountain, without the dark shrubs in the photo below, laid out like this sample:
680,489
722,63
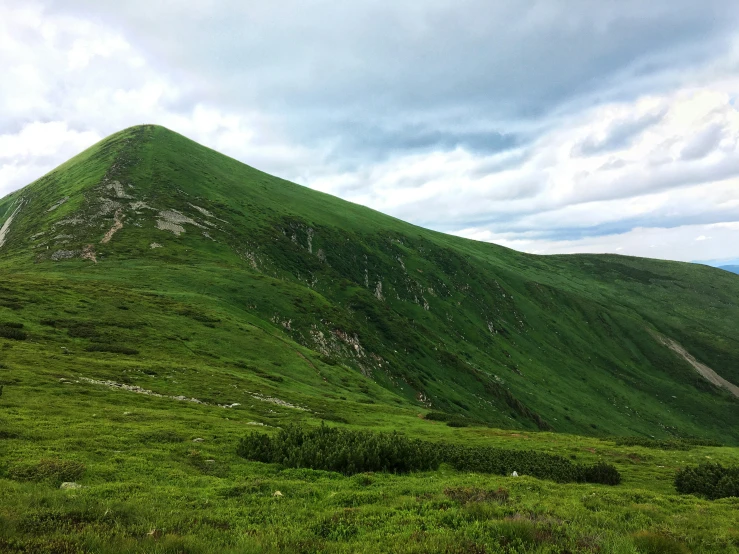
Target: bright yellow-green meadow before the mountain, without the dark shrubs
162,473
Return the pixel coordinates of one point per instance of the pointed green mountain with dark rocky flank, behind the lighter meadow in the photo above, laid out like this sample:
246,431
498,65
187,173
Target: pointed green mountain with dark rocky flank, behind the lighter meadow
567,343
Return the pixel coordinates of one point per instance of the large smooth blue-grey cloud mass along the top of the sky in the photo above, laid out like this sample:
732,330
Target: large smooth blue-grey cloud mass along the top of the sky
334,70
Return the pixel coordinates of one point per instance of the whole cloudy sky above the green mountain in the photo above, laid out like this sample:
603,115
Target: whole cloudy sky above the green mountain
548,126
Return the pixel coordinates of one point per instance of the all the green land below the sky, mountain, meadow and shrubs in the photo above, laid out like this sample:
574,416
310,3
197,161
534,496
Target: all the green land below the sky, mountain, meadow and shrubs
196,356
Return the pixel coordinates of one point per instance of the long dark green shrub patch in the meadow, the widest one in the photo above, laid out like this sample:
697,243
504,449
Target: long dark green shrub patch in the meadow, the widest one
349,452
